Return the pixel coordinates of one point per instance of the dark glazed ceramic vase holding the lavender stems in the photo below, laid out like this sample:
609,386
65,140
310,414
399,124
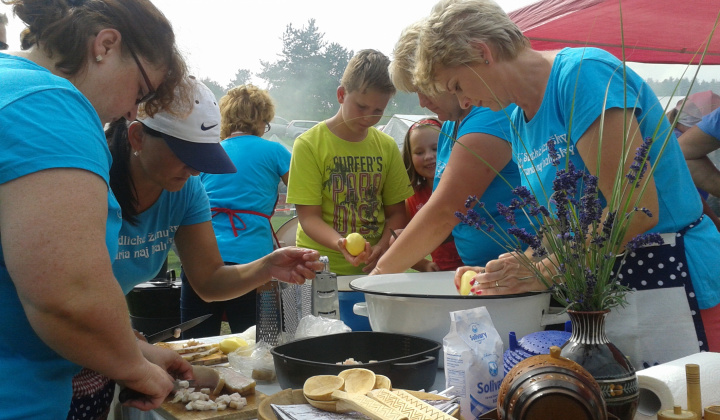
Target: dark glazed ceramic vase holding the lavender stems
589,347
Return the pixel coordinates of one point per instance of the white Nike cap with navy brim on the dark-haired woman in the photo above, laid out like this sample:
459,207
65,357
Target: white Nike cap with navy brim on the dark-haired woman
195,140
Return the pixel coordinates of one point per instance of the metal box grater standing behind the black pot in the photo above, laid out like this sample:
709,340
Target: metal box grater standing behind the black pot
280,307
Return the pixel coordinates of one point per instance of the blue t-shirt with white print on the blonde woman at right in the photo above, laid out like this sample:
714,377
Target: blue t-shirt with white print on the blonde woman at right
571,103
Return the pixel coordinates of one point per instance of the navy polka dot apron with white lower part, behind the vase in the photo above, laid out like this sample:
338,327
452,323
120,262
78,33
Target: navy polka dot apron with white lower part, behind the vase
662,321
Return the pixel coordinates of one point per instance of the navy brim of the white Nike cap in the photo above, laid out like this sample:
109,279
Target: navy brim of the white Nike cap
210,158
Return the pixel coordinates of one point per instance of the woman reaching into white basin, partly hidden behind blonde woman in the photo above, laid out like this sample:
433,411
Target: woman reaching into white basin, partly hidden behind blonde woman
466,136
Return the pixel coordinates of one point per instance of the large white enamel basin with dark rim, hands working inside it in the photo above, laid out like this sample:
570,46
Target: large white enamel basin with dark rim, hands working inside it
420,304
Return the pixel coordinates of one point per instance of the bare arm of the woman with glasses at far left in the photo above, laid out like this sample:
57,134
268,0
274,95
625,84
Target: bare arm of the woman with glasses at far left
53,226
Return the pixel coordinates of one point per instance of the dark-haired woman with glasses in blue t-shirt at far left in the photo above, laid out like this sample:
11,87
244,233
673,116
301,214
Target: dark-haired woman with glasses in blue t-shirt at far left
89,63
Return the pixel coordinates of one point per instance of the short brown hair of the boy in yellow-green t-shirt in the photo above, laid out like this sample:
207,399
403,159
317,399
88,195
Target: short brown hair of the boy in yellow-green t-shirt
368,69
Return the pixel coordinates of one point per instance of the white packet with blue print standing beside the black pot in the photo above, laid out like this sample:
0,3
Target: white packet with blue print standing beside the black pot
473,351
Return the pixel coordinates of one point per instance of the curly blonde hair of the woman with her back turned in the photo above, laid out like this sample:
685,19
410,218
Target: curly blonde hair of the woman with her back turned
247,109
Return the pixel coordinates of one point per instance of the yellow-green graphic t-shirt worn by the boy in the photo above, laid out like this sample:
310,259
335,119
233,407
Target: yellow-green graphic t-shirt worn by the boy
351,181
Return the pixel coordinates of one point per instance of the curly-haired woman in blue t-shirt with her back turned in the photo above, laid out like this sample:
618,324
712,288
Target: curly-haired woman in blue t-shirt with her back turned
242,203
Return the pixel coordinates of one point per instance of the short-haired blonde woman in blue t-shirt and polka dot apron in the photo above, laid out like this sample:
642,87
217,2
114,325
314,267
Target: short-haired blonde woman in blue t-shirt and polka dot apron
579,98
